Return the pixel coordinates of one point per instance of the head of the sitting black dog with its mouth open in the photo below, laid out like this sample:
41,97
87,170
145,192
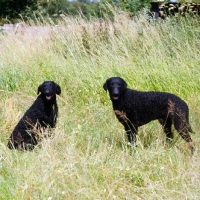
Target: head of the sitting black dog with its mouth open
49,89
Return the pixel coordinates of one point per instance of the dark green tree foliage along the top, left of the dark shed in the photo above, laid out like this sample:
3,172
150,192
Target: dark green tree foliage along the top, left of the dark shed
12,9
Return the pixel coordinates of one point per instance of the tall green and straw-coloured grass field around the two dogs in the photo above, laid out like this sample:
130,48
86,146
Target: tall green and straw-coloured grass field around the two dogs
87,156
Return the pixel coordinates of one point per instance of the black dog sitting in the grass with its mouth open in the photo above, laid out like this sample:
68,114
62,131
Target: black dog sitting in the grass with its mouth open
42,113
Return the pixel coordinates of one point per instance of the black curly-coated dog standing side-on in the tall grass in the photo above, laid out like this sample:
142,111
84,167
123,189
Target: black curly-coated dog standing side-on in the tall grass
134,109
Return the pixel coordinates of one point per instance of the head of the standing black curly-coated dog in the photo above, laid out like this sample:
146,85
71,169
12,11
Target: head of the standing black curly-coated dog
115,86
